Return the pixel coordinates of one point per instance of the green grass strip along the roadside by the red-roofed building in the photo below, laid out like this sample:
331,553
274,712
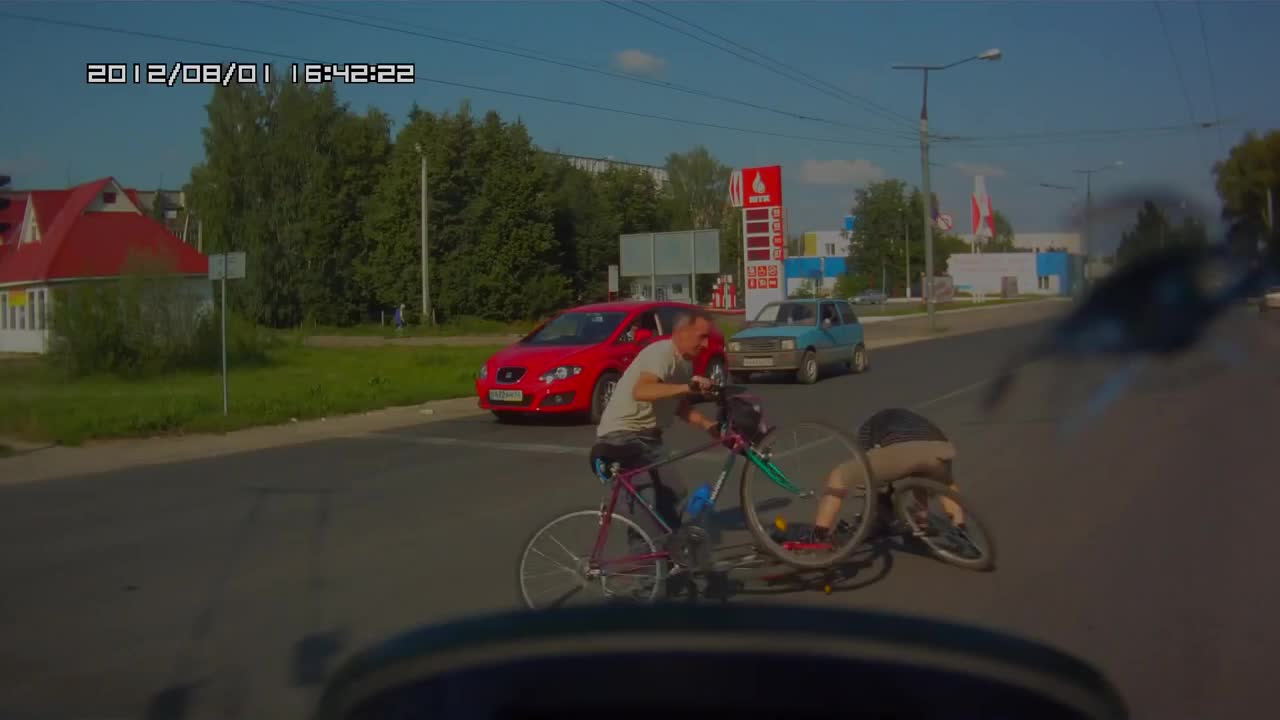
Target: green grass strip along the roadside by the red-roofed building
40,403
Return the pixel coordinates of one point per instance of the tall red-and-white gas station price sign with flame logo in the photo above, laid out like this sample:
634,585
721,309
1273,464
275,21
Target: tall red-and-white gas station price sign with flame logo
758,192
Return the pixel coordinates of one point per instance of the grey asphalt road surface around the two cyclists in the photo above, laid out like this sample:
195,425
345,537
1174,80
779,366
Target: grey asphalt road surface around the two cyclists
227,587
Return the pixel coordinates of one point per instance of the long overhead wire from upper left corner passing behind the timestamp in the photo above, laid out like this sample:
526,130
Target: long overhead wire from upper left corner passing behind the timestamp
452,84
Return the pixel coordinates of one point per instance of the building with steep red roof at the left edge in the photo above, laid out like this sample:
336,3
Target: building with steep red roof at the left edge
93,233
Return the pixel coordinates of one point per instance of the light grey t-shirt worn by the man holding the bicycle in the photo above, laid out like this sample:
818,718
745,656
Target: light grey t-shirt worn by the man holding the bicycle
625,413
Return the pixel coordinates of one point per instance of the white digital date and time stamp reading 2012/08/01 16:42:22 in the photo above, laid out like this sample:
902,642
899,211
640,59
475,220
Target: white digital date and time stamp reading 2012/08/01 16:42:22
227,74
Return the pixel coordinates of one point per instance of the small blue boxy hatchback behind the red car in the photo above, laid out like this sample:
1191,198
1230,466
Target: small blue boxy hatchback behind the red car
802,338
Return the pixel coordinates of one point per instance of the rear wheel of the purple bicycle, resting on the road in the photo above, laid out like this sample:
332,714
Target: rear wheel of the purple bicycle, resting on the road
612,575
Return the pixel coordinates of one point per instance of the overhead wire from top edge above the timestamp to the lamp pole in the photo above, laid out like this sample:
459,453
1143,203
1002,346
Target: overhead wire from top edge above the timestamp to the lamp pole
533,56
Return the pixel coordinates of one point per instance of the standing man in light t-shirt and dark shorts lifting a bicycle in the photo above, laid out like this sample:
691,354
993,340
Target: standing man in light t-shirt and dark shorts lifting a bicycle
656,389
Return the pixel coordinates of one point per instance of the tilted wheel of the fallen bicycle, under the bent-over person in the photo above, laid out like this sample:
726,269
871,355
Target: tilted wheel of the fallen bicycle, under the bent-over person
957,546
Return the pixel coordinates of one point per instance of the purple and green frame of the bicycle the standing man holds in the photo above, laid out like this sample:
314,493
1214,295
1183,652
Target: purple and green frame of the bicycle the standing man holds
737,444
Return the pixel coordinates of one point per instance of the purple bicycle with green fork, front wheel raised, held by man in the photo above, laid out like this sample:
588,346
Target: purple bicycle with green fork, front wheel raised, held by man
638,568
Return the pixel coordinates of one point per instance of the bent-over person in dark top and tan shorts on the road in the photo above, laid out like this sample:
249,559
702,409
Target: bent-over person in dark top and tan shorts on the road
899,444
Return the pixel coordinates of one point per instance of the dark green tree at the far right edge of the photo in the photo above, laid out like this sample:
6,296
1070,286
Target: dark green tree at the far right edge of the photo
1244,180
